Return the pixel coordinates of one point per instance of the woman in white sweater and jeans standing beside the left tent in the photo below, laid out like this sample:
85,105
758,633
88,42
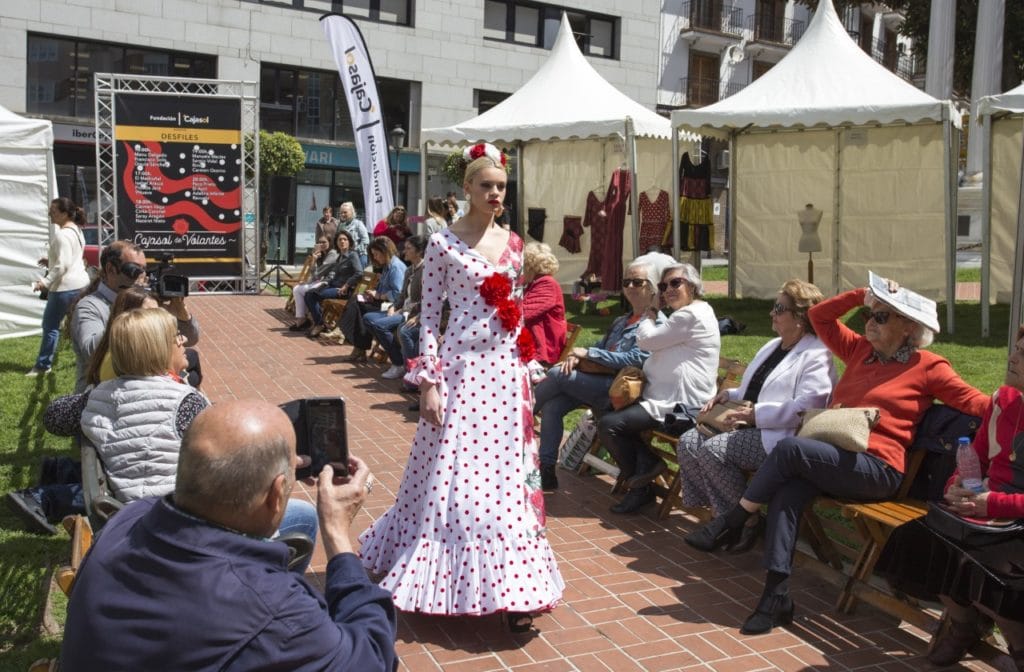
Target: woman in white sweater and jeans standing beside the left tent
66,278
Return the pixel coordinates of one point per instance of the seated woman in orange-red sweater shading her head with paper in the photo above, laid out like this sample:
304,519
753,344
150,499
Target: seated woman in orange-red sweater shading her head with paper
885,369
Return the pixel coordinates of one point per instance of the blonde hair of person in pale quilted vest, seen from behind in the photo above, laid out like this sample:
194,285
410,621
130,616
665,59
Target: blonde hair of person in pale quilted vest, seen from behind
142,342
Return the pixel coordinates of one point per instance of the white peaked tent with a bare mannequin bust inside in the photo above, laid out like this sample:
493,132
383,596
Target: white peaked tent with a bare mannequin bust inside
830,127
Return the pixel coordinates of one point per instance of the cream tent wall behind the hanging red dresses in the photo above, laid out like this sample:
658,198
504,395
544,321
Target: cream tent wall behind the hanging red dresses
559,176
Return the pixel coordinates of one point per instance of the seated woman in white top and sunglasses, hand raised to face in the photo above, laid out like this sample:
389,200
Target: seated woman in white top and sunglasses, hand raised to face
681,370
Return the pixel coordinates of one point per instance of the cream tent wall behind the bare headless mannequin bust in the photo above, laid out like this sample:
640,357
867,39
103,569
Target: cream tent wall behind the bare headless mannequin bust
891,209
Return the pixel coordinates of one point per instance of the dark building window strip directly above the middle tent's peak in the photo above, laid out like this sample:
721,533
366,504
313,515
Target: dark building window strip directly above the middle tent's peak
537,25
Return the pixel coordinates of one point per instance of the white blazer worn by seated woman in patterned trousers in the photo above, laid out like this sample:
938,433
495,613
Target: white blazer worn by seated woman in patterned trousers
802,381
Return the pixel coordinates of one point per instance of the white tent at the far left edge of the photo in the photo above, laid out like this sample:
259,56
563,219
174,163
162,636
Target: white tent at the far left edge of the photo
28,184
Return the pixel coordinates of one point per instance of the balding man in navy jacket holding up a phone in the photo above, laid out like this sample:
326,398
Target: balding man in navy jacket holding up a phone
194,581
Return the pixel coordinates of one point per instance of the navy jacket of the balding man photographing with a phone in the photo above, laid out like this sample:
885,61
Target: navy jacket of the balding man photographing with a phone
162,591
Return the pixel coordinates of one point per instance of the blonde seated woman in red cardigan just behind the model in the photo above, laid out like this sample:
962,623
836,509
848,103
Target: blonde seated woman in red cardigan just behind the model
543,307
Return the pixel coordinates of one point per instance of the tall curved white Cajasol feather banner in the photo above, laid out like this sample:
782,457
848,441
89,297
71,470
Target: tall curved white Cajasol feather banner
360,85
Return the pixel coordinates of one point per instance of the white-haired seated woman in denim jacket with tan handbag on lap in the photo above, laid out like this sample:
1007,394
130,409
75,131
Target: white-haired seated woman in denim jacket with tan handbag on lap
585,376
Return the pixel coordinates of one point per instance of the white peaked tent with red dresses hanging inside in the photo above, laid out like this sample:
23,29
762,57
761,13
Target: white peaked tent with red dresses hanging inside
573,130
